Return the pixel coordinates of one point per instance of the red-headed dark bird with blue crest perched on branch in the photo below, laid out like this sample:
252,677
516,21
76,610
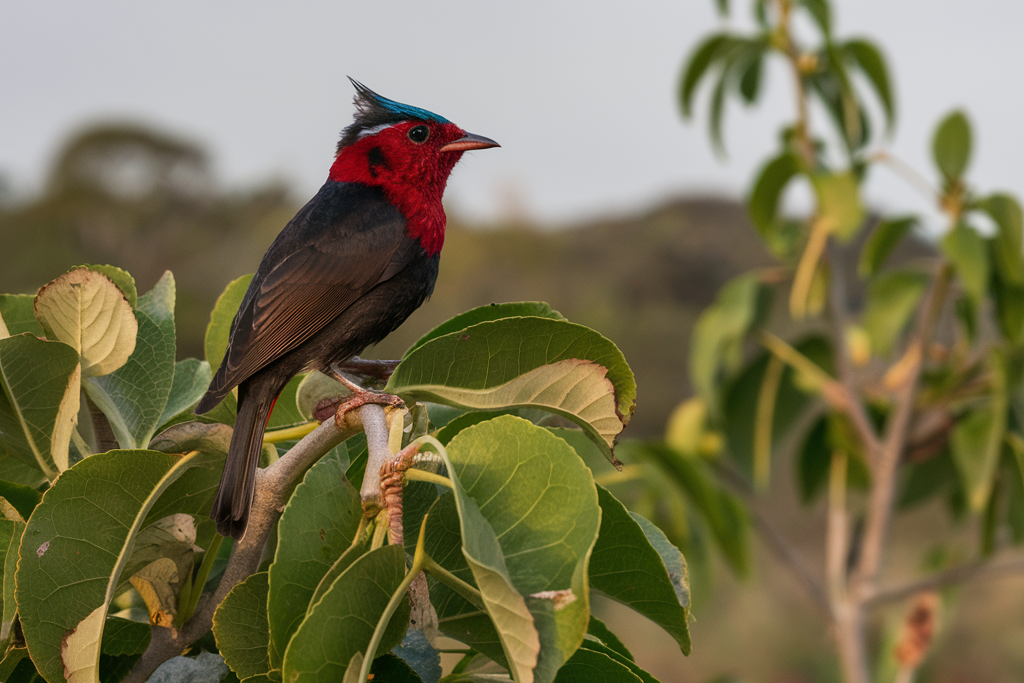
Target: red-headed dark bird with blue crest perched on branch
352,266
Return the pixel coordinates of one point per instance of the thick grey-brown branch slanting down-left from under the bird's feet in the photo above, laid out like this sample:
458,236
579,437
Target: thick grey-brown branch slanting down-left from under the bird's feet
274,487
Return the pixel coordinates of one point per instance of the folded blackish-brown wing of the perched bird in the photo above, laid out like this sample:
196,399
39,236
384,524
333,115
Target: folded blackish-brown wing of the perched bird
322,263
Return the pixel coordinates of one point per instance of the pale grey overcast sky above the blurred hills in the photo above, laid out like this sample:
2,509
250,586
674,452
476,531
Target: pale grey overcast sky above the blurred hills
582,96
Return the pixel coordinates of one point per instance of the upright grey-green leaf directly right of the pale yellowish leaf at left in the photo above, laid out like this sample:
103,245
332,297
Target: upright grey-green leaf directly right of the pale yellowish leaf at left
134,398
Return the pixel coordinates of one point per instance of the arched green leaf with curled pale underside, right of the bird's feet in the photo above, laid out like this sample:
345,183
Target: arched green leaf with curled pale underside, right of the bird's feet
526,362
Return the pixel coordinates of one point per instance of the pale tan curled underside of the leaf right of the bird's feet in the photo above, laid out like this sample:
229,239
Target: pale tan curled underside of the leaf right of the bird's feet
575,389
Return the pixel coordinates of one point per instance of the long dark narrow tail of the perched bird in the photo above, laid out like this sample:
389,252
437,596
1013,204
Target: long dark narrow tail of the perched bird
238,484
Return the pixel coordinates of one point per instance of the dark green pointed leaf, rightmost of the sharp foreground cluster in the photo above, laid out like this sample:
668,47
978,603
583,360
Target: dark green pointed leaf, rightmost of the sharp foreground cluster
628,566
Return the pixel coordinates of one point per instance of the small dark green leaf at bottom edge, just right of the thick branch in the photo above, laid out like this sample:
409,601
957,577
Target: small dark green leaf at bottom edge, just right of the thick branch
240,626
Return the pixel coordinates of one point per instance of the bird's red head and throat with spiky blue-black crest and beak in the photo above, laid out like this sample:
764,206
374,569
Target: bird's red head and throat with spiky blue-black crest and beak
409,153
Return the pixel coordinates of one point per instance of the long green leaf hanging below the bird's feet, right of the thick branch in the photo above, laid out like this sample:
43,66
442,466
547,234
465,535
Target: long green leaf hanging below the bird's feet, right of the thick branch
318,526
